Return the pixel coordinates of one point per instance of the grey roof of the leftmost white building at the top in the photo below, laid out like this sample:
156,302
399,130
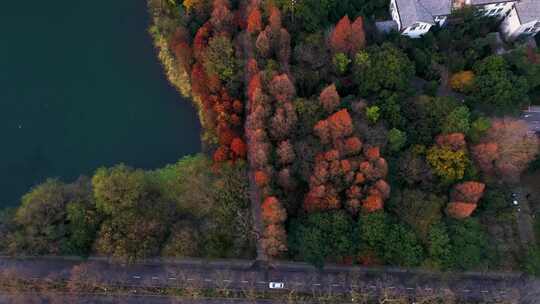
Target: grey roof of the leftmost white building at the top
412,11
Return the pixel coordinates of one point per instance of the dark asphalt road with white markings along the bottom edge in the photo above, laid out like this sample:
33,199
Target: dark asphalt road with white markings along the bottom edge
246,276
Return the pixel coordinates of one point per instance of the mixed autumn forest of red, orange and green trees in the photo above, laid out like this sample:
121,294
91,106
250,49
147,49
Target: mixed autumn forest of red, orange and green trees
361,147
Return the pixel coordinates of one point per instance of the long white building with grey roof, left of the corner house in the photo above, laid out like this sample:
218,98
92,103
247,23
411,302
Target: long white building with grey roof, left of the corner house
416,17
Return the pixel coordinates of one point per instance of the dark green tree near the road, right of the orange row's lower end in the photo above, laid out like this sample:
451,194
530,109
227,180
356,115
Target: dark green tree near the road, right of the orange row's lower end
322,236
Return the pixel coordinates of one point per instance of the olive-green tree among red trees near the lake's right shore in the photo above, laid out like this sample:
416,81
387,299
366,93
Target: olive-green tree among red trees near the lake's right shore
219,57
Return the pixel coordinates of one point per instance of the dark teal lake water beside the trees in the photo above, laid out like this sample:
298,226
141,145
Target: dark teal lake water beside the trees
80,88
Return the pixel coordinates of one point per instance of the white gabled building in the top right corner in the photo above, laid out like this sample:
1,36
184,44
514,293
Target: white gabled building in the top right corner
523,20
